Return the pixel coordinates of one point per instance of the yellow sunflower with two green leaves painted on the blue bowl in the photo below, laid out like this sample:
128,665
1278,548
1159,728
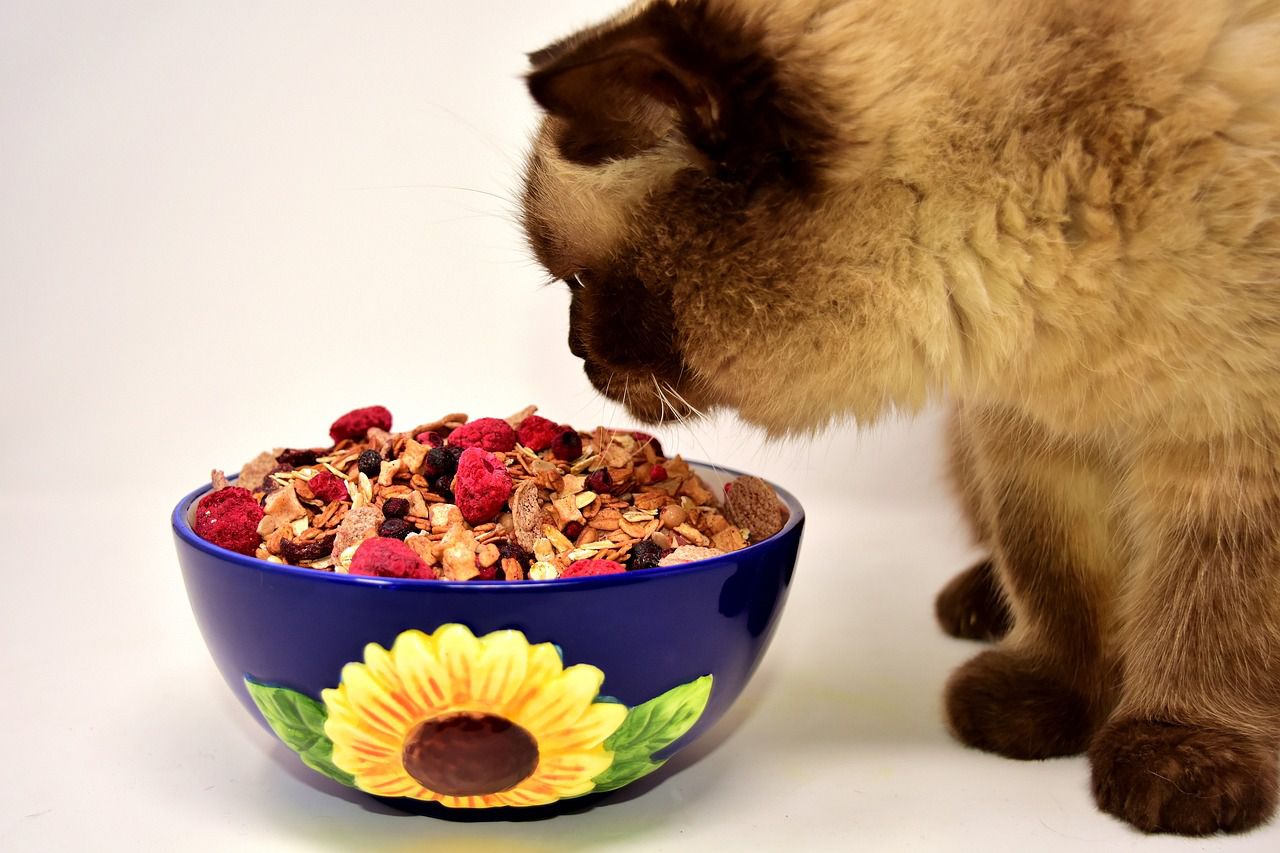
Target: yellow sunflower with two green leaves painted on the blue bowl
476,723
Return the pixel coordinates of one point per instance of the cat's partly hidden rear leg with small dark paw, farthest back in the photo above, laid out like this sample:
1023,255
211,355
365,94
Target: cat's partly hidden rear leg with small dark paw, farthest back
972,606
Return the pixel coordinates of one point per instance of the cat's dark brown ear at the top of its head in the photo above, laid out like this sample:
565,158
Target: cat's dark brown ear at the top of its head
620,92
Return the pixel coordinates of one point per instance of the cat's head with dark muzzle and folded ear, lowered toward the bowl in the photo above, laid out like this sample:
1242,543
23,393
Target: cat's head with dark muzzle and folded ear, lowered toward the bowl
682,186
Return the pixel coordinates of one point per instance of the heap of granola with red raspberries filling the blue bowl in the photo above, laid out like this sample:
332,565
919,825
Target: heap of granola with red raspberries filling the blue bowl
515,499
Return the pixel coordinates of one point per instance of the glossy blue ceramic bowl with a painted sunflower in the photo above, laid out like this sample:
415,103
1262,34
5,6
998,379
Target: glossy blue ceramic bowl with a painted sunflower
486,695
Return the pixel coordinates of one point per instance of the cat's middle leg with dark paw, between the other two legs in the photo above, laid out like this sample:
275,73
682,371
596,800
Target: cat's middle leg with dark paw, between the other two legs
1046,688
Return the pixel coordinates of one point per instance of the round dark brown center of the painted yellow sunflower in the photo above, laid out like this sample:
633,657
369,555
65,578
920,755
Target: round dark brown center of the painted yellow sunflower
470,755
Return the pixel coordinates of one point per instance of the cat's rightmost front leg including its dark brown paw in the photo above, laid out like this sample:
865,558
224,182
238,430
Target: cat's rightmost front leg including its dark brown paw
1194,743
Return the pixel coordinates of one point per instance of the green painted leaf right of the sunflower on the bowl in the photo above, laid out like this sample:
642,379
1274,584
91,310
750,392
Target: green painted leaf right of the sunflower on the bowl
650,728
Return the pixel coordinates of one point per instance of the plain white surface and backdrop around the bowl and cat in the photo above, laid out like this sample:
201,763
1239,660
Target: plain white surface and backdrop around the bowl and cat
225,225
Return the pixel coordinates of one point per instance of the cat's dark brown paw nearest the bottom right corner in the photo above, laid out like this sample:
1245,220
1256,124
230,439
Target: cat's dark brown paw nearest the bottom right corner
1165,778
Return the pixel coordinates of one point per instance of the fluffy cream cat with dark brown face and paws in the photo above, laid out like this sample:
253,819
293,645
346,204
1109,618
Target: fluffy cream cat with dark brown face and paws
1062,217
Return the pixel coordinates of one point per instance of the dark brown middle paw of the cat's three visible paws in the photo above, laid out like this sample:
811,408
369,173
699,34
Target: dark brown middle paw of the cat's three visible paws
1003,704
